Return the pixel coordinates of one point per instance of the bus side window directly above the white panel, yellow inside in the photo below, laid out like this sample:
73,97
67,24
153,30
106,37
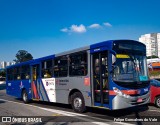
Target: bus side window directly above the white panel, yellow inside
46,69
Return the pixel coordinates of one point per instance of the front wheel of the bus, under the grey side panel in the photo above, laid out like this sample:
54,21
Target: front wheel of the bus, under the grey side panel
77,102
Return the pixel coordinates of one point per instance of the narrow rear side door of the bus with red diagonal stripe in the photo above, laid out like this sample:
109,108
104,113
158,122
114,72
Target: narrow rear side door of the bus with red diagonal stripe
35,83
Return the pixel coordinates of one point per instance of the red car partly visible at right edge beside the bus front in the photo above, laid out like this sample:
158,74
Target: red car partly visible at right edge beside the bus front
155,92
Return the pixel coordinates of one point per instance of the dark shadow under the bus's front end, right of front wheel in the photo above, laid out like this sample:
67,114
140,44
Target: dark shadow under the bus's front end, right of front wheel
129,113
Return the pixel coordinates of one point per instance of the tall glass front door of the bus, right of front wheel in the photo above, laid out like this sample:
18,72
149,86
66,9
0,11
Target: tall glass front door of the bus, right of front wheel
100,78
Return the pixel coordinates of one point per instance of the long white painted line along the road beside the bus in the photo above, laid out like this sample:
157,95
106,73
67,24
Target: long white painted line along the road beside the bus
65,113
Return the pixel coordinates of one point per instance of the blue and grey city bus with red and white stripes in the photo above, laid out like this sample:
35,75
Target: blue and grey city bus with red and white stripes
111,75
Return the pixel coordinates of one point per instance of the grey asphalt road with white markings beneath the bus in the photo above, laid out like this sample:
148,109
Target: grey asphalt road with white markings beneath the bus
53,113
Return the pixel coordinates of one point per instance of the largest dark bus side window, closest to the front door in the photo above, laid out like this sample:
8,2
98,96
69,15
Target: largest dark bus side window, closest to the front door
78,64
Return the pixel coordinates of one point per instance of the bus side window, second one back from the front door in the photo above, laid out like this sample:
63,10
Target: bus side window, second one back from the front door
61,66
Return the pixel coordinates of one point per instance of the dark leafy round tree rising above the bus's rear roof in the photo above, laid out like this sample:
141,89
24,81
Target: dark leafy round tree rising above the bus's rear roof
22,56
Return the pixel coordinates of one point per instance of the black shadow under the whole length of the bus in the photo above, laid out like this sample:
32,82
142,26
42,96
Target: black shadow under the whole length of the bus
93,111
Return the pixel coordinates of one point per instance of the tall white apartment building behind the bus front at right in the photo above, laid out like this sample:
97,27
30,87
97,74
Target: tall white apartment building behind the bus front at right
152,42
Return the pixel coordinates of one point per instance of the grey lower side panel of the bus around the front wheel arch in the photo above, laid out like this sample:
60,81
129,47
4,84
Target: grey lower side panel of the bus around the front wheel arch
65,85
